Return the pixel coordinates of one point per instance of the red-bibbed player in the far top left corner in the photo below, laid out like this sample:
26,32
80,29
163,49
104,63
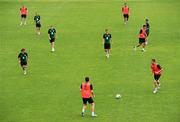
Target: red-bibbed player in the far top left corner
23,12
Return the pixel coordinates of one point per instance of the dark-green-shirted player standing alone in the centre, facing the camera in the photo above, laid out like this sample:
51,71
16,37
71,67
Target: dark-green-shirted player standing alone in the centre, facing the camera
107,39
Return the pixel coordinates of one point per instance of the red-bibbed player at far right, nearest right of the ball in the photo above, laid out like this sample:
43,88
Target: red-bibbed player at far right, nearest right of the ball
156,70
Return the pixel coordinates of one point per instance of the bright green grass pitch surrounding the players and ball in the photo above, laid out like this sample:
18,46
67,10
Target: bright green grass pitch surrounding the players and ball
50,91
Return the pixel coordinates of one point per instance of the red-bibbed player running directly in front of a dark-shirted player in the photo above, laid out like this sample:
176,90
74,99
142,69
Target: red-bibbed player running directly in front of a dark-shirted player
142,38
